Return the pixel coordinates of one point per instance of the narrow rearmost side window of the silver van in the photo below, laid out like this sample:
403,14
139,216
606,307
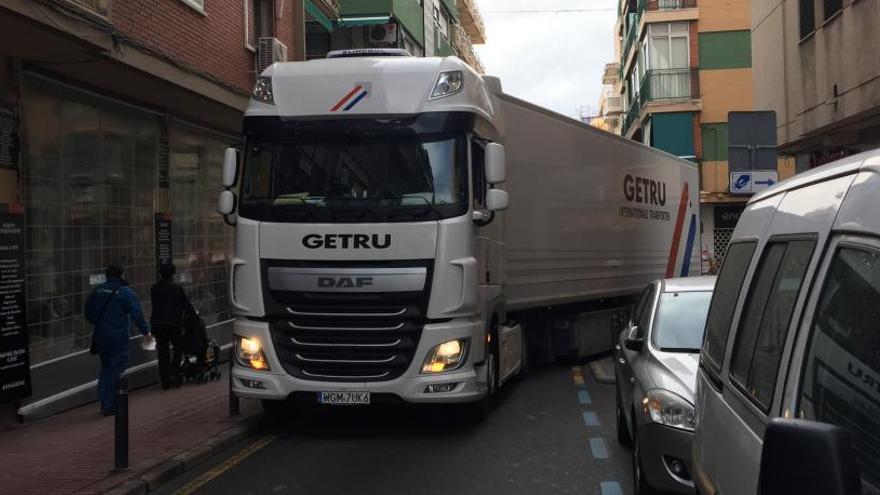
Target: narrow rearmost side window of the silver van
727,289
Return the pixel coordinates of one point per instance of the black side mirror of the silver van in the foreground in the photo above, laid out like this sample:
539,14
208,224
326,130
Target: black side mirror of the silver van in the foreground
801,456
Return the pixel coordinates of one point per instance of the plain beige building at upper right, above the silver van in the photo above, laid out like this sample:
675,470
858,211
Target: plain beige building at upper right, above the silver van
816,65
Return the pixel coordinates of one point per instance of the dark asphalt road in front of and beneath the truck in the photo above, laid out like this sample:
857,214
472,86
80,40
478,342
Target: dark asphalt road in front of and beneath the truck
552,433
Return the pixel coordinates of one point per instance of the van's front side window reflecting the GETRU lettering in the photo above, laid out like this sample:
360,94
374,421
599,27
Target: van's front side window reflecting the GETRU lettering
840,383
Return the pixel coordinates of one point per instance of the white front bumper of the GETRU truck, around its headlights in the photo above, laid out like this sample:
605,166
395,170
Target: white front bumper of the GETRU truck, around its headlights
277,384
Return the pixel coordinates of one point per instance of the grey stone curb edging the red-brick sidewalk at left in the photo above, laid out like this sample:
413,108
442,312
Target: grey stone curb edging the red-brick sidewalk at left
187,460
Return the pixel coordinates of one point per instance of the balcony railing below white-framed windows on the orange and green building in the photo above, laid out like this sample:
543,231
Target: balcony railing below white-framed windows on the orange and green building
663,85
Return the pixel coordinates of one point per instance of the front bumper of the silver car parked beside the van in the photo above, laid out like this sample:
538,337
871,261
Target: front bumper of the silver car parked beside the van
659,446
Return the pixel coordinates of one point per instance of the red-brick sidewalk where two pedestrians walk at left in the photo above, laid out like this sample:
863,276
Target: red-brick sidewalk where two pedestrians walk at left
72,452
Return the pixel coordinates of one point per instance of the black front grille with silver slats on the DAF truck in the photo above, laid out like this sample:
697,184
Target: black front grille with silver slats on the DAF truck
346,336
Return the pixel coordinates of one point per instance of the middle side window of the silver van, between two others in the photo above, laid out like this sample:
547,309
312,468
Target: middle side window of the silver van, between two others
757,349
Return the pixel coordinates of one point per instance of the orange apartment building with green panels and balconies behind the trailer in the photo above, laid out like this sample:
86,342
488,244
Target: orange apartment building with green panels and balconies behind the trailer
683,66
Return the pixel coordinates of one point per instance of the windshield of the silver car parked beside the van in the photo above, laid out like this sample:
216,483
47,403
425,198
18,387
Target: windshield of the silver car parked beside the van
680,321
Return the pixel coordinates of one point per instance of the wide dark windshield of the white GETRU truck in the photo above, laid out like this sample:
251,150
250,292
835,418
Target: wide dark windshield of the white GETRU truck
350,180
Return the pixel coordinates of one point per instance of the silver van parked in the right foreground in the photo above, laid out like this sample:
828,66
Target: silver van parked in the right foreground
788,390
